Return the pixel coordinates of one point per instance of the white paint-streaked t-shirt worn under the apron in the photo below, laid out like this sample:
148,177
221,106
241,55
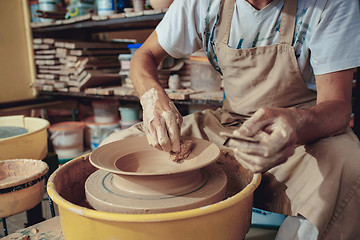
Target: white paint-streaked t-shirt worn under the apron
326,39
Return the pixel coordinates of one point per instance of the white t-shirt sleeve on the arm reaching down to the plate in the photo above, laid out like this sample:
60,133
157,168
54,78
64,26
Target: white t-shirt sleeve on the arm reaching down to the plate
178,30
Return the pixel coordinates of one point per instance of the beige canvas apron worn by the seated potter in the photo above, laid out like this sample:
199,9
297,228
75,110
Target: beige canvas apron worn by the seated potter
320,181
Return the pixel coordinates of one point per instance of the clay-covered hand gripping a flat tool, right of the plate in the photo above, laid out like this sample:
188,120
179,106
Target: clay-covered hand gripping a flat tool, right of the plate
275,132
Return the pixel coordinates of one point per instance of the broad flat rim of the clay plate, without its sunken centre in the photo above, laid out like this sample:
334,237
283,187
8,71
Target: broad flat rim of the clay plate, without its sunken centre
203,154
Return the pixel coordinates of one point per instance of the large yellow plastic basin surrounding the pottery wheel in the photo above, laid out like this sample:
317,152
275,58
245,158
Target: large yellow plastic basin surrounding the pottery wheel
226,220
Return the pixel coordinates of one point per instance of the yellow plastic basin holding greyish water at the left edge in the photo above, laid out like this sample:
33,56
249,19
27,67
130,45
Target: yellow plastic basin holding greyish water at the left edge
31,145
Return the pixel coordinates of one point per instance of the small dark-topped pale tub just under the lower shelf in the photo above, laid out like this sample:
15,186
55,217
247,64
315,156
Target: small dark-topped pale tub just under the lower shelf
106,111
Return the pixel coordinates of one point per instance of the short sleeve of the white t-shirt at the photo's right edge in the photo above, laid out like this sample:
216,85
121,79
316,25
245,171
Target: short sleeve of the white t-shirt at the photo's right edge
335,43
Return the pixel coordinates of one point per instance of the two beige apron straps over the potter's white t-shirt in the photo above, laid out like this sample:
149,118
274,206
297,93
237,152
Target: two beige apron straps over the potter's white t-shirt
287,25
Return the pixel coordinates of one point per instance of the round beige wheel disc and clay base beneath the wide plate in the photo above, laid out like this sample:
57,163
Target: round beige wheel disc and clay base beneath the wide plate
125,194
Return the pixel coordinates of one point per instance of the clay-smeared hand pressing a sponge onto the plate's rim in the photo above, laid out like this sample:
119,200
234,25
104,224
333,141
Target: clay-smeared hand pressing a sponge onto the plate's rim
161,120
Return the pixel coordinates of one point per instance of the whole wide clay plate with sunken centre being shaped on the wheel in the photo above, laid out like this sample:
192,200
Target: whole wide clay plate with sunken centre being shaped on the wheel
134,156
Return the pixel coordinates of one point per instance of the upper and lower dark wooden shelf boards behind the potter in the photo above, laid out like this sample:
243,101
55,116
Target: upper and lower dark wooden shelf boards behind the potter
84,26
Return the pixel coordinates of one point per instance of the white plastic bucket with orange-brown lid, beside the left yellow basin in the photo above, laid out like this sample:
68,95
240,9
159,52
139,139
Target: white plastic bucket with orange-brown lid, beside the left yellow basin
67,139
